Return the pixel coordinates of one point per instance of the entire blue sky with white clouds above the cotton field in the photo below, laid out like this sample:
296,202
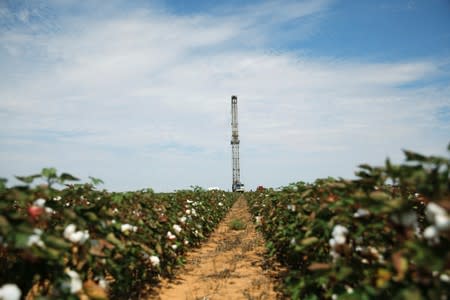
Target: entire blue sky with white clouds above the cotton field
138,93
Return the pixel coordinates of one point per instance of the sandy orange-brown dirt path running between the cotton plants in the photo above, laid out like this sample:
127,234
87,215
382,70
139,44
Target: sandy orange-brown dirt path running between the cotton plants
227,266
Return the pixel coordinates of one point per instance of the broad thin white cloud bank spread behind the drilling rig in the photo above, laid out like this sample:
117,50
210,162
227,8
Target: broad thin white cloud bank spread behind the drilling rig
143,99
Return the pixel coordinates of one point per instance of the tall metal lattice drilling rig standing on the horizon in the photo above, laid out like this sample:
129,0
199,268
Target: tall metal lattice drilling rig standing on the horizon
237,186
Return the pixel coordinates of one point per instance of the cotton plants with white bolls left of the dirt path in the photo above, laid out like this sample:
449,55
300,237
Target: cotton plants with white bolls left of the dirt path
80,242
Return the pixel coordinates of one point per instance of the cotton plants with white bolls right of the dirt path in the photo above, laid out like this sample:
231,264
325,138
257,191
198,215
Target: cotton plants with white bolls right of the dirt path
383,235
